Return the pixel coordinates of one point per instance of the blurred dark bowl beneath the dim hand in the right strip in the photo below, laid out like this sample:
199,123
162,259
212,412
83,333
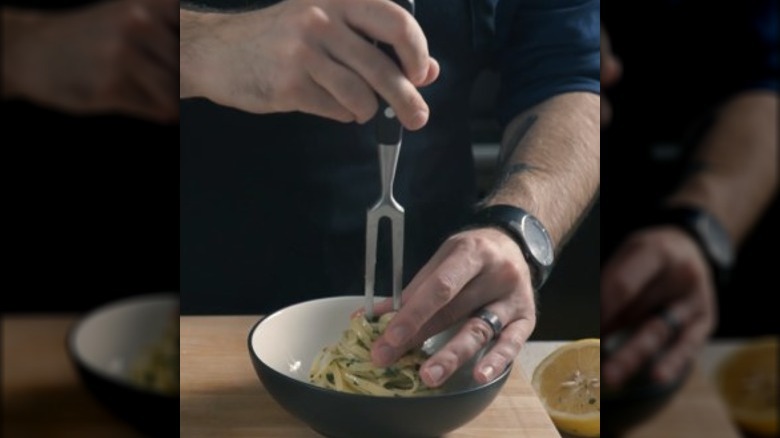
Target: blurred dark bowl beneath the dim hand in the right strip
638,400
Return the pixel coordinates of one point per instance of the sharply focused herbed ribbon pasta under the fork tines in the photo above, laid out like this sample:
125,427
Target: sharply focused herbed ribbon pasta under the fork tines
346,366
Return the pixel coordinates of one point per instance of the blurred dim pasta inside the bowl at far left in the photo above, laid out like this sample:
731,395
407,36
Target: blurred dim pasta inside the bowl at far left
157,369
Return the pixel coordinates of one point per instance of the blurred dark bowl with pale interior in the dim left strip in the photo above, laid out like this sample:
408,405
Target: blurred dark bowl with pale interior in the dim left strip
108,342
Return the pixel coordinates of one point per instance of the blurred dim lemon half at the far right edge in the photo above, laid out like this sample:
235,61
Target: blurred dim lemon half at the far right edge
747,380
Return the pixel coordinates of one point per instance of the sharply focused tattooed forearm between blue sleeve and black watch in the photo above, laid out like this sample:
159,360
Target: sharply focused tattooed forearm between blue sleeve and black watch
550,162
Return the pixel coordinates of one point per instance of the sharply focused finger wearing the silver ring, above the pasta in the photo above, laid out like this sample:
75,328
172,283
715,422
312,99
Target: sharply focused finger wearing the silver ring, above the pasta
472,337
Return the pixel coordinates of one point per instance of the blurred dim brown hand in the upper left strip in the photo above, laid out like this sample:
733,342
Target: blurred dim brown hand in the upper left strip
117,56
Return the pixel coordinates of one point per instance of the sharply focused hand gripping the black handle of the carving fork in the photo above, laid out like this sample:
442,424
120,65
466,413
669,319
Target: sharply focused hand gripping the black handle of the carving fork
311,56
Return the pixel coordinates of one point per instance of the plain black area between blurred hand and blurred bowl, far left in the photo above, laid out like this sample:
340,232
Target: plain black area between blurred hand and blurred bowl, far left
90,209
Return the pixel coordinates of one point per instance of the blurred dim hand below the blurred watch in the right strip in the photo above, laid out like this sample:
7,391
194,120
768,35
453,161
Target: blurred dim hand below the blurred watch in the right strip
658,268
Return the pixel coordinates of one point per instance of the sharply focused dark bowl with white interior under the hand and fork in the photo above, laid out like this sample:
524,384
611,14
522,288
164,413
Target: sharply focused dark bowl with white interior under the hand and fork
283,345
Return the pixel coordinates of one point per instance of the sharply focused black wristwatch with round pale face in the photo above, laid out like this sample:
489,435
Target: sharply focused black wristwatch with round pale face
529,233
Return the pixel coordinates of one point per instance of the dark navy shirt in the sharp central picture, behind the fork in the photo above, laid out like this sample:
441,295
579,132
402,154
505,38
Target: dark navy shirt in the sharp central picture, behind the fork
273,207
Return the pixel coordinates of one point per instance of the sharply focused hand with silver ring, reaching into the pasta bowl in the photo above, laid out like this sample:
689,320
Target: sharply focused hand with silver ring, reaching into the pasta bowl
476,269
